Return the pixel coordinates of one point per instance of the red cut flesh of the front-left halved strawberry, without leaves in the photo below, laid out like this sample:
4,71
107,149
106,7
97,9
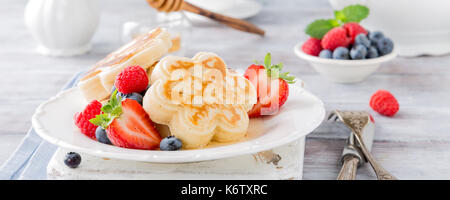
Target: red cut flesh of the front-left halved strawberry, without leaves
133,128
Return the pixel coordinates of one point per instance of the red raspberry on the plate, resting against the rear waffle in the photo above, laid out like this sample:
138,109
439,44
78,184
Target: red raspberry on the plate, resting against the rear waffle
131,79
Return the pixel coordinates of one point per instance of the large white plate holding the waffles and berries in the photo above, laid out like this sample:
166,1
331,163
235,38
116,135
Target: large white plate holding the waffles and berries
301,114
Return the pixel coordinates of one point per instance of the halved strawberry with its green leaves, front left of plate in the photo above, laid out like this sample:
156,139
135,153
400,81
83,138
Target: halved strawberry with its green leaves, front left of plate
128,125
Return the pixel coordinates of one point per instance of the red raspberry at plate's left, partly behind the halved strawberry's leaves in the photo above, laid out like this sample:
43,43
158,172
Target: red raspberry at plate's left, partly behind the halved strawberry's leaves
82,118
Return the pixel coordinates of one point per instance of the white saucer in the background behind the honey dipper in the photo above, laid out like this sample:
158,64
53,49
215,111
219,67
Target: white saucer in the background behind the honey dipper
240,9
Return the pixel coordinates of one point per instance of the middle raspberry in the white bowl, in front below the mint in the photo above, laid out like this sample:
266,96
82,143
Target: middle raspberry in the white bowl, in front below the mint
336,37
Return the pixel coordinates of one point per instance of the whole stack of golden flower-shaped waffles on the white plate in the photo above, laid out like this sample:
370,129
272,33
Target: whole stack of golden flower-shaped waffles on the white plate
220,117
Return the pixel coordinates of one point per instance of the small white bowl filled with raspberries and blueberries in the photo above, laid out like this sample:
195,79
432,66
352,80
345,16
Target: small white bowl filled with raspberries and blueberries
344,71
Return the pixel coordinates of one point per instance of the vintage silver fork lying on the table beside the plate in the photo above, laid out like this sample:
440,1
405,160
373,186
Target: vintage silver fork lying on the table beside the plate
356,121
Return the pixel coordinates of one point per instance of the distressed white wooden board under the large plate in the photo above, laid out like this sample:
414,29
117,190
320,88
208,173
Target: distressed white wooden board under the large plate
284,162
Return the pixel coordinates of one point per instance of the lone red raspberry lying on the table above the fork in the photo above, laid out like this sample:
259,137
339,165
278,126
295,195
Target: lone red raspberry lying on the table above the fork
384,103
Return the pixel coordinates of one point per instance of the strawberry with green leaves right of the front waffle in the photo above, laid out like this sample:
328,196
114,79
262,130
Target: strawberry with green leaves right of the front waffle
271,86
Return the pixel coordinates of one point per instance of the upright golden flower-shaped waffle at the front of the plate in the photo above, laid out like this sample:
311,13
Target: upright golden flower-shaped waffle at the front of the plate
199,99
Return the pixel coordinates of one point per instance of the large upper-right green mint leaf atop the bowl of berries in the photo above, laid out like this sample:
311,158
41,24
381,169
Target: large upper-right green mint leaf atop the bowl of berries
352,13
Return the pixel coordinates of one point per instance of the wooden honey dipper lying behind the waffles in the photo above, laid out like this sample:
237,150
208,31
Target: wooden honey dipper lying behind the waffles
177,5
